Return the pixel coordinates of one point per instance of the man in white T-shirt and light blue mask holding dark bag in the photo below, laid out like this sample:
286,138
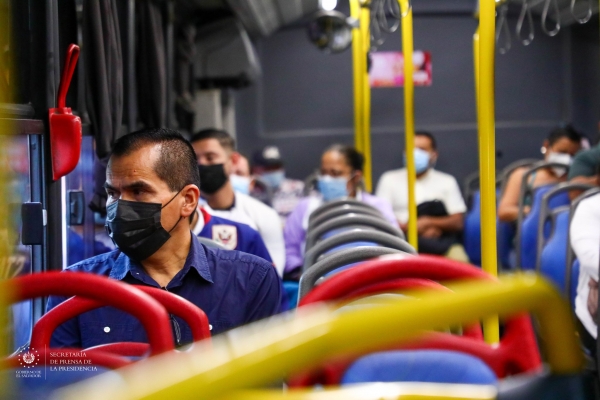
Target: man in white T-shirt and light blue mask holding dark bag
440,204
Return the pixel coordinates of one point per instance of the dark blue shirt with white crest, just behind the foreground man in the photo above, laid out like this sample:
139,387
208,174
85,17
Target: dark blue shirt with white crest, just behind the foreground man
233,235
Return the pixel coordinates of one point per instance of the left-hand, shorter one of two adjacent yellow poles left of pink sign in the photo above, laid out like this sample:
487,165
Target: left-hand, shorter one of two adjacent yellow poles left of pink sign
357,52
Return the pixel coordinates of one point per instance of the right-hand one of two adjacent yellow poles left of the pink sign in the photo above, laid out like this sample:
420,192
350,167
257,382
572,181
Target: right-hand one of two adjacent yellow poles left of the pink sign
365,19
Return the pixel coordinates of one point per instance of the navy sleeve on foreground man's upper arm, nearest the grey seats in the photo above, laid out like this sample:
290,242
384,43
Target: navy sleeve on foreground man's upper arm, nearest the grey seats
264,293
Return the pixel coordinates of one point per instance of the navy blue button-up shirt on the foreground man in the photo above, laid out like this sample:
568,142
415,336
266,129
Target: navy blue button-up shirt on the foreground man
231,287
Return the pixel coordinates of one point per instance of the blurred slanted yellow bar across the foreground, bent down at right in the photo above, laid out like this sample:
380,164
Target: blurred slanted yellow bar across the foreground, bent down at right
264,352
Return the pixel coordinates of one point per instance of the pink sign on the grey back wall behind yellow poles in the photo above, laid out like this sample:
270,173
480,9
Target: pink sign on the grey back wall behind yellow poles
387,69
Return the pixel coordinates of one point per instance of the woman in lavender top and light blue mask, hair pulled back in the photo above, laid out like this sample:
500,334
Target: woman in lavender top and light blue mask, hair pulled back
341,176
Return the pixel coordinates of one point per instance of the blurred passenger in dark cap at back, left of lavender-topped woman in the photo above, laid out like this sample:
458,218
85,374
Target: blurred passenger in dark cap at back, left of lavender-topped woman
268,164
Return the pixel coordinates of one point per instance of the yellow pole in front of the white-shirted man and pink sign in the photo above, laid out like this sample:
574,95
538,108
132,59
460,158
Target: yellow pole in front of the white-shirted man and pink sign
409,118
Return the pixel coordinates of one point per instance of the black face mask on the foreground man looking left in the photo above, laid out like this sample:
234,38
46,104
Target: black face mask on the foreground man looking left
135,227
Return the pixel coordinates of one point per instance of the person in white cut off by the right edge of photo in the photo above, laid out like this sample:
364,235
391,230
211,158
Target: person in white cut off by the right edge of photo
585,237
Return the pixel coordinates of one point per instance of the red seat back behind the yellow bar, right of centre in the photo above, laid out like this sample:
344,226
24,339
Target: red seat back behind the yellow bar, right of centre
517,351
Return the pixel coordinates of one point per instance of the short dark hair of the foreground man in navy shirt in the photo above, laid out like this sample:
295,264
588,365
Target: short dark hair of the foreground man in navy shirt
176,164
